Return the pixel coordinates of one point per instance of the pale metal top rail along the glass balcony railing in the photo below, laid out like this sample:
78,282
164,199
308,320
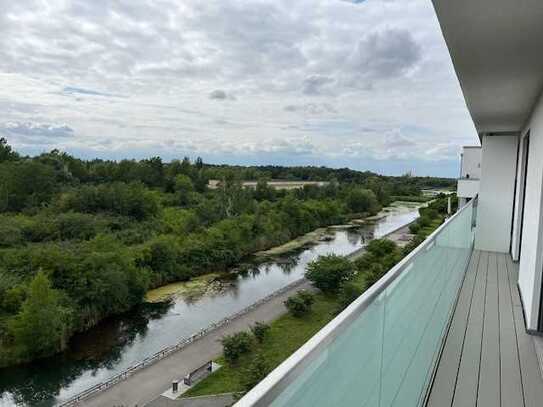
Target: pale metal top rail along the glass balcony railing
268,389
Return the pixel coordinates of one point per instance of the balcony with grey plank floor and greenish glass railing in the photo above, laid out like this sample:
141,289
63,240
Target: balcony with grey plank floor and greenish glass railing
442,328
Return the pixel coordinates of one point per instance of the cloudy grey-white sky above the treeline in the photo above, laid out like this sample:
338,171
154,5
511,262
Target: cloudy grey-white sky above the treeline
362,84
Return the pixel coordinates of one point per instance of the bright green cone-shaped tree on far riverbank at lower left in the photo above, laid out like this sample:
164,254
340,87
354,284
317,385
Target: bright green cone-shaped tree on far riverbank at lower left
41,325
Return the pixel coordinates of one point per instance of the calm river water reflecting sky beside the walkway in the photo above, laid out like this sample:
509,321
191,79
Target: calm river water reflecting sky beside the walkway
118,343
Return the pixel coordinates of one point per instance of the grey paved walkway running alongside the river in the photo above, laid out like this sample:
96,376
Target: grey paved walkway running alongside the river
149,383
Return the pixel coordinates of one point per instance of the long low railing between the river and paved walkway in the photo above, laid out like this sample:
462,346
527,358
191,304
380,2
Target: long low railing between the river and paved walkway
97,388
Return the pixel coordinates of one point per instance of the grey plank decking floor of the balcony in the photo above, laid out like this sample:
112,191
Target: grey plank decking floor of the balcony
488,358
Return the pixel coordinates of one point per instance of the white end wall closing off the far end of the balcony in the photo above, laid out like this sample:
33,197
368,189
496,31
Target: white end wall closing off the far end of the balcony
496,191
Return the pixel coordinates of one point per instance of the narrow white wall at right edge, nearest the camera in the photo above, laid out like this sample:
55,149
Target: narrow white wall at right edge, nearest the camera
531,266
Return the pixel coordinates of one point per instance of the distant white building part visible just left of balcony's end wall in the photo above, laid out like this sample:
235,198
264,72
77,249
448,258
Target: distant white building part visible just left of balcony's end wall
470,174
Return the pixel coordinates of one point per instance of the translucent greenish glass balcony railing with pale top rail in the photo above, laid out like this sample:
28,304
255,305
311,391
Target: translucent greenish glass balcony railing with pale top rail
382,350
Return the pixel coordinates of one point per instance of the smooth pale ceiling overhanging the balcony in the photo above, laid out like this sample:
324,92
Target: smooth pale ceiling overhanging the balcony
497,50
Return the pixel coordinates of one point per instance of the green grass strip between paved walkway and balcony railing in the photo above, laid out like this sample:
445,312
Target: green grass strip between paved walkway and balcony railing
286,335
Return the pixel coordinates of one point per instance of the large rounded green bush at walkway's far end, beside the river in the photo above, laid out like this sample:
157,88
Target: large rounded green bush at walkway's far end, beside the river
329,272
